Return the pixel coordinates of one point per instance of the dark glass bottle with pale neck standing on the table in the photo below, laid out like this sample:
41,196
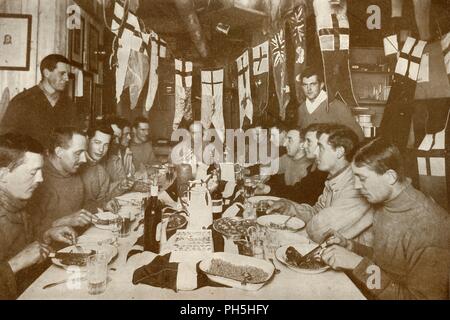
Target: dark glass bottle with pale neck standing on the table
152,218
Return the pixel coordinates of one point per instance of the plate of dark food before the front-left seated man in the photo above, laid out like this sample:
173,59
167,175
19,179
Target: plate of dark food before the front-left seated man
77,255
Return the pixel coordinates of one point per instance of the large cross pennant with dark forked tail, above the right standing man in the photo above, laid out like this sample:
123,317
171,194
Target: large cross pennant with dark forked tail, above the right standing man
334,38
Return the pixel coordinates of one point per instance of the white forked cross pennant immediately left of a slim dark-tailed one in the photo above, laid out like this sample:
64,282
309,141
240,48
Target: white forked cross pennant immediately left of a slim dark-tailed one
245,95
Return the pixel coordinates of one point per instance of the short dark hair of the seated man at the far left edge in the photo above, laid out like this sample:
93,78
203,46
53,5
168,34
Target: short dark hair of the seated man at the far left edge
13,147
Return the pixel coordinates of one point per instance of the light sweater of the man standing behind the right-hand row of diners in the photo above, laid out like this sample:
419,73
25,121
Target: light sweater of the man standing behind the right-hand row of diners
338,113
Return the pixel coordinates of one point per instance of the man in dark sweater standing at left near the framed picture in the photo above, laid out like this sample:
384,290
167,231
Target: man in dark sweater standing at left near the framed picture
38,110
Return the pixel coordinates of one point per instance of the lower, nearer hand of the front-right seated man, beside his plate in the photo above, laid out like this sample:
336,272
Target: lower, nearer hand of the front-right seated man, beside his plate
339,257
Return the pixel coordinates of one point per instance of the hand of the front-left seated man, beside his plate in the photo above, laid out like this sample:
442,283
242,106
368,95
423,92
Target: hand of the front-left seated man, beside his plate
34,253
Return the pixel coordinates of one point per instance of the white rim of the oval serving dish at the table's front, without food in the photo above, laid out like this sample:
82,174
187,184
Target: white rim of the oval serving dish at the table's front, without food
237,260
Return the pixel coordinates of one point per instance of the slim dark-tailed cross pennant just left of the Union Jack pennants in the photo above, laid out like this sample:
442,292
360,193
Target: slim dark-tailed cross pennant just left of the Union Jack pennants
260,79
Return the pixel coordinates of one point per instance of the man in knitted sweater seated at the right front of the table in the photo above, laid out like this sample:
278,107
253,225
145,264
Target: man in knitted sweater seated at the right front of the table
410,257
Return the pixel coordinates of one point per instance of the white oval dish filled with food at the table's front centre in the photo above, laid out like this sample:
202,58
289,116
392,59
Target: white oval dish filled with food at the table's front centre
237,271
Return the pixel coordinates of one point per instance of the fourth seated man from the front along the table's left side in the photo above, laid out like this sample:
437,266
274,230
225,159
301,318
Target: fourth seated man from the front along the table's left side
119,164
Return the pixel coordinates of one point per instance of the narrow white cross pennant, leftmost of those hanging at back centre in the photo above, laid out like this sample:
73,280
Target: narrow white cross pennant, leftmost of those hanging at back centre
183,89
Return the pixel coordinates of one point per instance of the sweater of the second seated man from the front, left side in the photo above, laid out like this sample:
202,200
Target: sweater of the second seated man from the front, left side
58,196
